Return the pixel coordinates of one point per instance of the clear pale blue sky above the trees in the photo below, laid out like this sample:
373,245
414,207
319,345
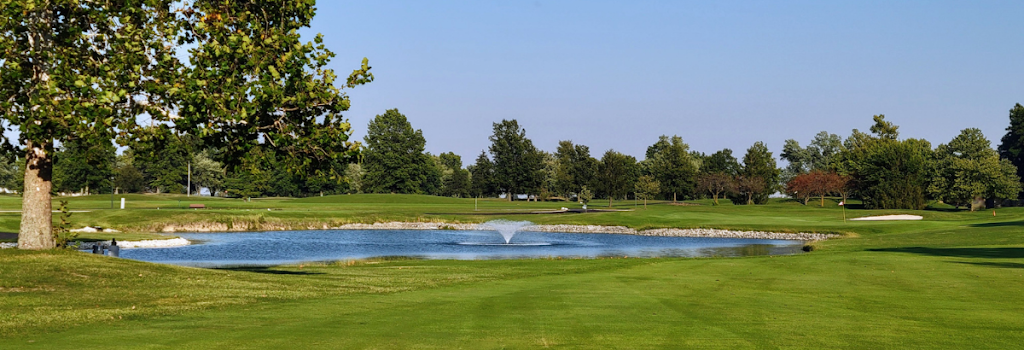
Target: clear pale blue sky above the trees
722,74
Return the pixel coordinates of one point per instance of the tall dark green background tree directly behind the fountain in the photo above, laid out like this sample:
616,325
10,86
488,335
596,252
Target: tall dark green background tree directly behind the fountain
518,164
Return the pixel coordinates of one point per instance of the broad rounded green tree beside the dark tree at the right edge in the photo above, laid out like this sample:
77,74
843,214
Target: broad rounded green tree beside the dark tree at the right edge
968,168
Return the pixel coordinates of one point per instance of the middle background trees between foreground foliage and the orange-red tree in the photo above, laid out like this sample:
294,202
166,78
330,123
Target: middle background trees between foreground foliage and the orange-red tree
396,163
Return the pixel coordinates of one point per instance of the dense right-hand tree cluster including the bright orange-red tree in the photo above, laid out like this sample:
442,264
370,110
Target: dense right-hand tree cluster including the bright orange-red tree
889,173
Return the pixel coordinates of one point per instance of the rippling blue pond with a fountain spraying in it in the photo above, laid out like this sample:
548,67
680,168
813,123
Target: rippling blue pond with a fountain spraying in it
276,248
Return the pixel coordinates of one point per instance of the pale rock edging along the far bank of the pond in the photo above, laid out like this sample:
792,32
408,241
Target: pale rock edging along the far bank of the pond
673,233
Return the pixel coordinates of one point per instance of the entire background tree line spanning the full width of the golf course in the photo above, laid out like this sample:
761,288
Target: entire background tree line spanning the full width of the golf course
878,167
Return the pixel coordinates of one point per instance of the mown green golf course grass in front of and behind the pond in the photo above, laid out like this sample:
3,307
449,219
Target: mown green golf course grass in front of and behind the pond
953,281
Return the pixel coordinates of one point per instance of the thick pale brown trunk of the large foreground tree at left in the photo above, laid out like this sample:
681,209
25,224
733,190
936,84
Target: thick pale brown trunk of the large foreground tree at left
37,225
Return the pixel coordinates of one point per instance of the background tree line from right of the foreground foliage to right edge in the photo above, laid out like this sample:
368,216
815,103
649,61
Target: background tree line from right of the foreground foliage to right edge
883,170
